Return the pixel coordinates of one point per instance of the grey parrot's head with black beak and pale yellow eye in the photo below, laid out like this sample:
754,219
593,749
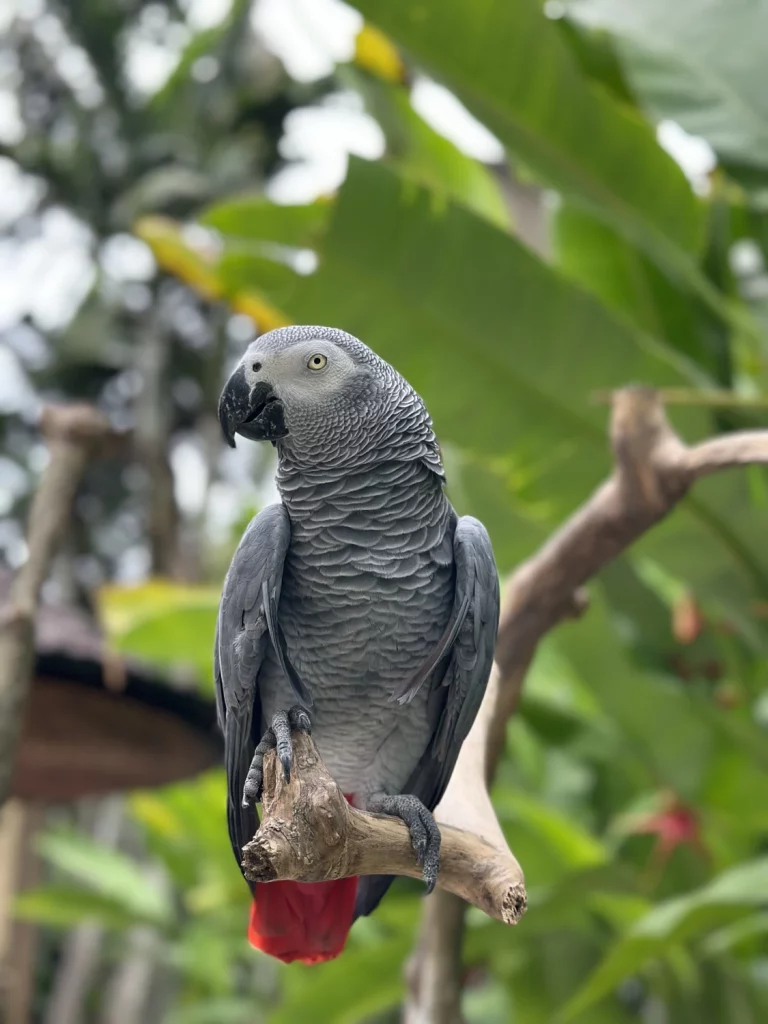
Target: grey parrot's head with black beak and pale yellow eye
323,399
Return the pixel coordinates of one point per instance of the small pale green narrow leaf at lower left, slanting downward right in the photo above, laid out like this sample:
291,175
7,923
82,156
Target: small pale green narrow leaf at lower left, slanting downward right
111,874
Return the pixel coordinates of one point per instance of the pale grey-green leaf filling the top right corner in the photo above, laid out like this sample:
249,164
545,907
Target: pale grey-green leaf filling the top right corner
700,65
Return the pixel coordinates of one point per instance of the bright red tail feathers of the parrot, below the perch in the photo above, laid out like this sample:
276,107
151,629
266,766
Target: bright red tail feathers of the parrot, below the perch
303,921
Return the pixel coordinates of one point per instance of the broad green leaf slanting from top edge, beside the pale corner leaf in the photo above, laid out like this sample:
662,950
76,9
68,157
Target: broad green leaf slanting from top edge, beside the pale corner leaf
514,69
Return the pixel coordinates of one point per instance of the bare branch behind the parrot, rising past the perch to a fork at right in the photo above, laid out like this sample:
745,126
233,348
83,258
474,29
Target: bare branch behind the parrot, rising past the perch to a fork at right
654,471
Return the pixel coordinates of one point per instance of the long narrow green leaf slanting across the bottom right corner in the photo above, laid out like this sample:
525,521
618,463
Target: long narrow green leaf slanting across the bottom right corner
672,923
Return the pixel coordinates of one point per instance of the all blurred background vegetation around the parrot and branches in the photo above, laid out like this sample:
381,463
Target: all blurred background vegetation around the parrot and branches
511,292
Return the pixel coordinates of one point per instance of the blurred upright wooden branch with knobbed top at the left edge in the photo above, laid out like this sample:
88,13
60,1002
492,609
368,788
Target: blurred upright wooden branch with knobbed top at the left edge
73,434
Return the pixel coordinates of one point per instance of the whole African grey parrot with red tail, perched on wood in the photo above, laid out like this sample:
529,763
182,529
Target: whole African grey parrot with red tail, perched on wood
361,606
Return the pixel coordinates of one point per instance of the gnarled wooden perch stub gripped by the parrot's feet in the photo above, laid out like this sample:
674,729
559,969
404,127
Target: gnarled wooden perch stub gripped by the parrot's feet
310,833
